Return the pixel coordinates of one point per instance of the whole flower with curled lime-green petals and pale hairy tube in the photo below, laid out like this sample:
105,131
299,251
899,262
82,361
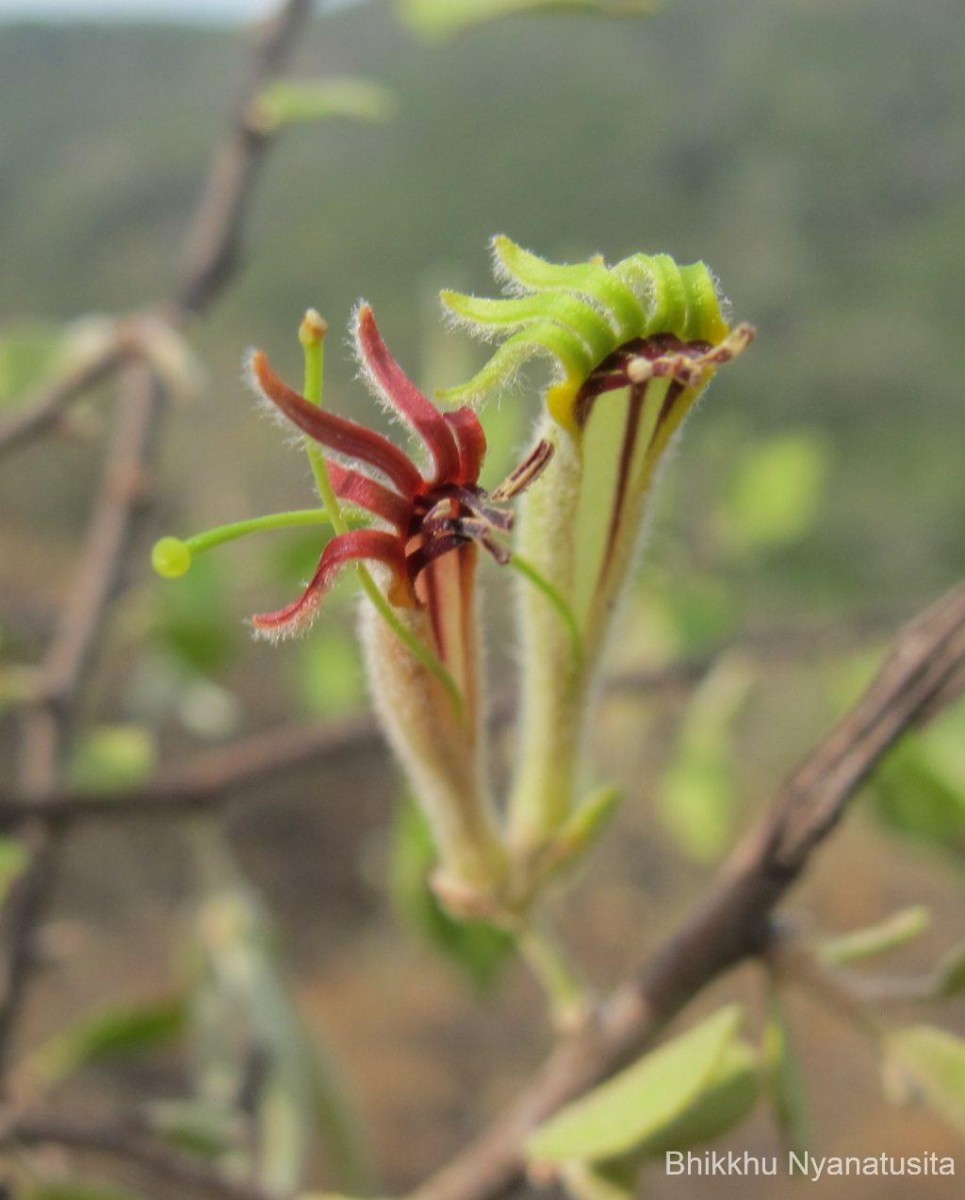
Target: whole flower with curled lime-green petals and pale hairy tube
633,347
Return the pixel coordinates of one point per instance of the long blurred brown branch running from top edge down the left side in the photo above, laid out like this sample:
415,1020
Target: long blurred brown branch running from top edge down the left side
47,723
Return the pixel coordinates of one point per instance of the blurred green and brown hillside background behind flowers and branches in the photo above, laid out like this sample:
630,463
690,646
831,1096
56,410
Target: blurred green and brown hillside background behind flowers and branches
813,153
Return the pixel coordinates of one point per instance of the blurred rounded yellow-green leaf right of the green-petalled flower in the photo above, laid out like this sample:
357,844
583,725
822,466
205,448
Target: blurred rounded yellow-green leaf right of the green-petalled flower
777,490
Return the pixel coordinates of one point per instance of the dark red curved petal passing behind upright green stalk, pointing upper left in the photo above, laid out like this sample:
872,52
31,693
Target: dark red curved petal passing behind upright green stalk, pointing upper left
337,433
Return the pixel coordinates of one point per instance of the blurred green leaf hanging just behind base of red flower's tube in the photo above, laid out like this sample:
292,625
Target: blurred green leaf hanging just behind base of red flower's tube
477,949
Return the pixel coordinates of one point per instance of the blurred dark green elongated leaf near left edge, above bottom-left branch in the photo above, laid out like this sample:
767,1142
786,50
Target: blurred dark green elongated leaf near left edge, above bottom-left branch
117,1034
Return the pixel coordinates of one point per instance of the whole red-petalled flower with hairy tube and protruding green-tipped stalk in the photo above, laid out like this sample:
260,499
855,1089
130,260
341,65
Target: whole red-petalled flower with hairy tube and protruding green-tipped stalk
417,561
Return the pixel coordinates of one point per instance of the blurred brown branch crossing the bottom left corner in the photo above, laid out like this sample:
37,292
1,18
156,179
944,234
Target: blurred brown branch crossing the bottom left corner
127,1145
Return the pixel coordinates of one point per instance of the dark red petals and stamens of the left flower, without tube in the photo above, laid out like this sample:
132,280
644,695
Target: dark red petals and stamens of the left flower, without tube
423,514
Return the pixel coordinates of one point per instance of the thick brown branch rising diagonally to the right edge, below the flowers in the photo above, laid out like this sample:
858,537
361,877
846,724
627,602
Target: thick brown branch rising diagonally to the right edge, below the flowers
735,921
